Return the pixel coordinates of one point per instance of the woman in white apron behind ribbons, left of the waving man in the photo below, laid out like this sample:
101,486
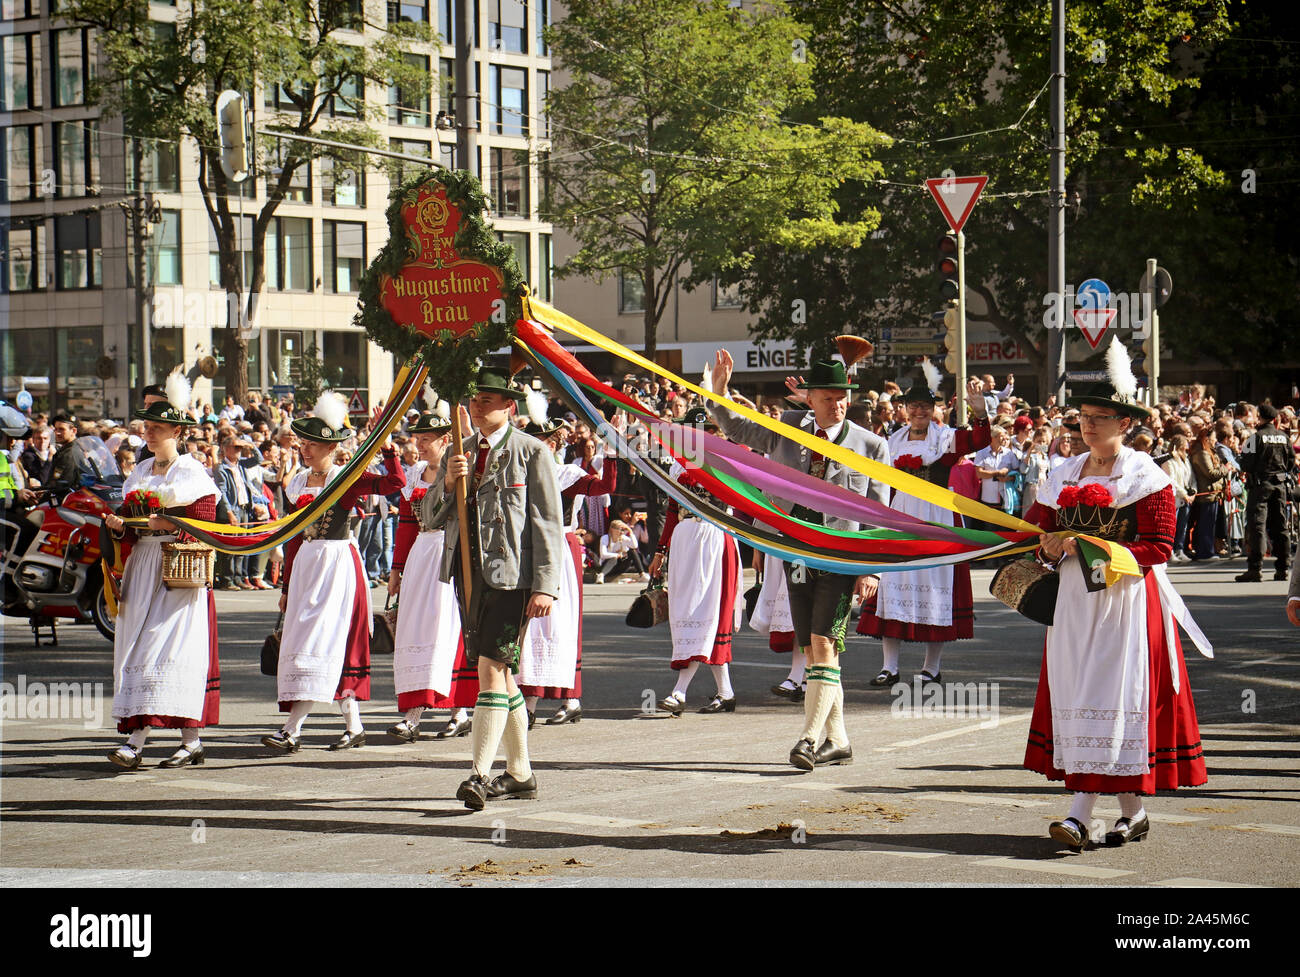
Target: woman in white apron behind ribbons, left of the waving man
704,580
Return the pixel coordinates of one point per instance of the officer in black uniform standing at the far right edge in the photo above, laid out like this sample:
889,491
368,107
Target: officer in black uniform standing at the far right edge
1271,466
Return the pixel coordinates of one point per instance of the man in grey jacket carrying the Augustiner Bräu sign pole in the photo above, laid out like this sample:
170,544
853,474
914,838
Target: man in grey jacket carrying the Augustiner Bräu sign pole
517,541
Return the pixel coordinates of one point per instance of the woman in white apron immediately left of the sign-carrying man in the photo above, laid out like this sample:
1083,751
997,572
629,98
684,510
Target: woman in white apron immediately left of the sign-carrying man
428,635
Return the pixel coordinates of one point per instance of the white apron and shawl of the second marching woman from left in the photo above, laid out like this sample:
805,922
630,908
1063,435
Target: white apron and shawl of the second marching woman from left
314,645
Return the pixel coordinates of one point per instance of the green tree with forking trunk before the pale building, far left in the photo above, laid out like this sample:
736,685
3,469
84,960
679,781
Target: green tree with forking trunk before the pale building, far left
164,82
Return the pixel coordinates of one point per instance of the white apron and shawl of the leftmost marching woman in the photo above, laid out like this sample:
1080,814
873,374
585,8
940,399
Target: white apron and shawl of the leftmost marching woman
161,645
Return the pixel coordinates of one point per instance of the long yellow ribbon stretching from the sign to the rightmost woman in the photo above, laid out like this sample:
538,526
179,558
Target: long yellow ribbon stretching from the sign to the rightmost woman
1121,559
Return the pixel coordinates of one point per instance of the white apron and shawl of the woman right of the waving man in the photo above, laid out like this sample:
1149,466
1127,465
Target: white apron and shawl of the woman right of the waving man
920,597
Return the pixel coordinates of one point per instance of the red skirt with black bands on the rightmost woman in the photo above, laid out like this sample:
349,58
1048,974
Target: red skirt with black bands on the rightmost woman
1173,735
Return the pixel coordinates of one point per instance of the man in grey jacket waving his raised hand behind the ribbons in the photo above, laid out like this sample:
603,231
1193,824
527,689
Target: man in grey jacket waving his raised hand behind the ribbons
820,602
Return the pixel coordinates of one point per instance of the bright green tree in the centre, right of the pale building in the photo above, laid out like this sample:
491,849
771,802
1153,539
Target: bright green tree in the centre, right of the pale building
674,158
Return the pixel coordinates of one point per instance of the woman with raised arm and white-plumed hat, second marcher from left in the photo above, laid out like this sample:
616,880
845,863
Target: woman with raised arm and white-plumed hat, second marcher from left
326,645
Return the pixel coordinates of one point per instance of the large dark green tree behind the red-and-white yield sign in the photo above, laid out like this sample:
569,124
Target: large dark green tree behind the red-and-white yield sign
963,86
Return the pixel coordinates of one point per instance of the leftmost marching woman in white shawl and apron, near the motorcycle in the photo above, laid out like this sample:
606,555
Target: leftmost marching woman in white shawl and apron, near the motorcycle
166,672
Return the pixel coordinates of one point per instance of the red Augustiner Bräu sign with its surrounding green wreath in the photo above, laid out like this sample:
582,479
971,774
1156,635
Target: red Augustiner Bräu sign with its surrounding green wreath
452,354
